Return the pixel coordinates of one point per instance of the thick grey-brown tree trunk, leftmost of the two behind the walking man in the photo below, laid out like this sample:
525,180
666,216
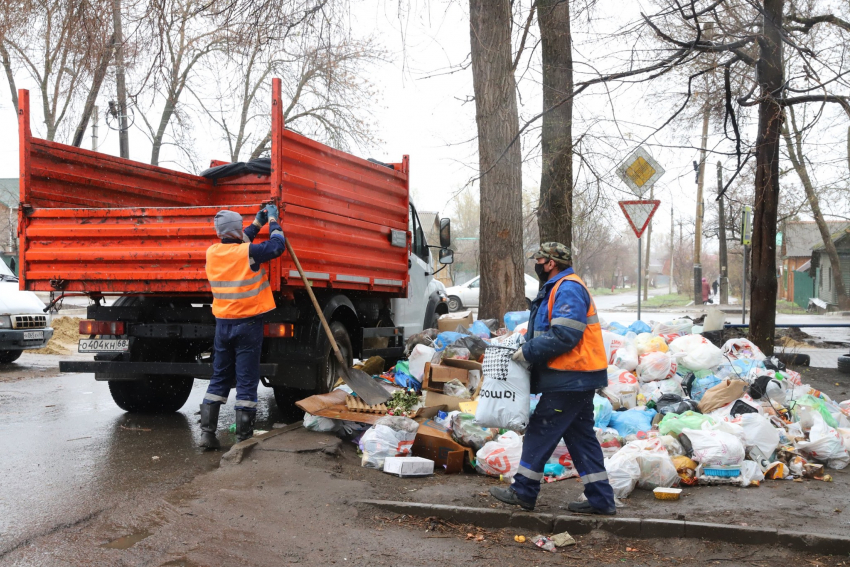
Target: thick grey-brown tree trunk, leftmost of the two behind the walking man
502,282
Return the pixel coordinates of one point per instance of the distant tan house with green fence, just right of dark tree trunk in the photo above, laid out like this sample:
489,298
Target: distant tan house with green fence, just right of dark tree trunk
798,241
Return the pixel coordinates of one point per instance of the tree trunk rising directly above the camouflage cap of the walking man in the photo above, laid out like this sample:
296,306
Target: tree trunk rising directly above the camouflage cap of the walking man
555,208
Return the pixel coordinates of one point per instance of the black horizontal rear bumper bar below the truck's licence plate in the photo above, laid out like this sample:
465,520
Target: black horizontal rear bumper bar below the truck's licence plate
135,370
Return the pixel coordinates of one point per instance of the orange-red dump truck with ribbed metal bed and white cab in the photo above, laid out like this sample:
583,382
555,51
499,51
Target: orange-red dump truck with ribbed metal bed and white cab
133,238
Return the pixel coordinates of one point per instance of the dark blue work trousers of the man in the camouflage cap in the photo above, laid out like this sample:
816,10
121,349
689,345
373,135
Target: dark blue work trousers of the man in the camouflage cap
567,416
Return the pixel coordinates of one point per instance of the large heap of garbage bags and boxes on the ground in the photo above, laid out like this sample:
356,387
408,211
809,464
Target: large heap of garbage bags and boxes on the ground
678,410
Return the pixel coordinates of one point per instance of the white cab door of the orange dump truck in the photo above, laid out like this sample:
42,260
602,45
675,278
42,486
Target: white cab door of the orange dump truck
409,312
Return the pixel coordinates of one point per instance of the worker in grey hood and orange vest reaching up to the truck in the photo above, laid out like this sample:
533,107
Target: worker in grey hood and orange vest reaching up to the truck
241,295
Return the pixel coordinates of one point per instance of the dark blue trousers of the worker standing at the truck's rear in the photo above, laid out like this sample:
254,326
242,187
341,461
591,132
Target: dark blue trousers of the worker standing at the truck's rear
238,346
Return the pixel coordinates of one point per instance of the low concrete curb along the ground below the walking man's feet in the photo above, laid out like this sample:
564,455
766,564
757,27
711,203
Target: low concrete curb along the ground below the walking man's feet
623,527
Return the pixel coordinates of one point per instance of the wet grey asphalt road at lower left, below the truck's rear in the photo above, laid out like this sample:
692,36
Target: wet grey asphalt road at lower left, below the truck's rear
67,452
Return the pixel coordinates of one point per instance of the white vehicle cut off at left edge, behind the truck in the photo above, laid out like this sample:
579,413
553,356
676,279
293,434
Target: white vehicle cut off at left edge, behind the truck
23,322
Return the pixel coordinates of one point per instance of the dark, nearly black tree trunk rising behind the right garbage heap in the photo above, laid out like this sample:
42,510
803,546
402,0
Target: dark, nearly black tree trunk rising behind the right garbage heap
763,284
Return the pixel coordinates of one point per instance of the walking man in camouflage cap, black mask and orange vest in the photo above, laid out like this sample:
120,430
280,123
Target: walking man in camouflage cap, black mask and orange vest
568,363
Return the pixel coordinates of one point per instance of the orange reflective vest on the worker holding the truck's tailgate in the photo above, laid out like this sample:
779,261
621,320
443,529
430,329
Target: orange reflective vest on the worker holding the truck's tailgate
238,291
